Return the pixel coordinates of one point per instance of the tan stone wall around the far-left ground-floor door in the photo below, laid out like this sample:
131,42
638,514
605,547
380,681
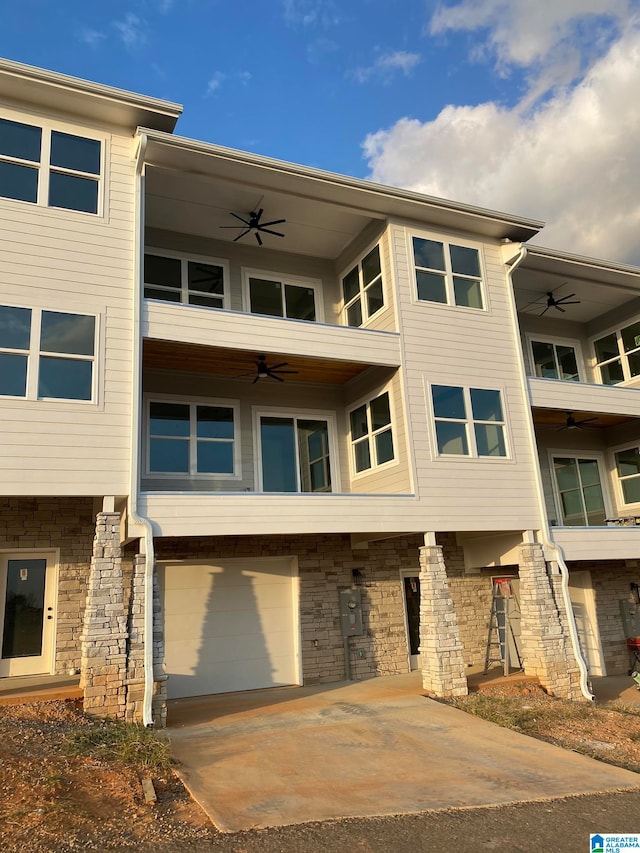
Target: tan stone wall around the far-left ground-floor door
66,524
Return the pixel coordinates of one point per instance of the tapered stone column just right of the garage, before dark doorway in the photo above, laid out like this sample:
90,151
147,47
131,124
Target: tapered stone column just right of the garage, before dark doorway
443,670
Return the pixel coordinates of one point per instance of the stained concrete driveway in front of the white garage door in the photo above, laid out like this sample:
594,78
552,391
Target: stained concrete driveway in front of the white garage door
378,747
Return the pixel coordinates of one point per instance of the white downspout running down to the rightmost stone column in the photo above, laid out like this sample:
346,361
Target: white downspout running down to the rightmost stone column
545,533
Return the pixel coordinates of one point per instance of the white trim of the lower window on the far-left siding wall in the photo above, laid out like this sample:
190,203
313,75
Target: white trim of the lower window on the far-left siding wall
33,358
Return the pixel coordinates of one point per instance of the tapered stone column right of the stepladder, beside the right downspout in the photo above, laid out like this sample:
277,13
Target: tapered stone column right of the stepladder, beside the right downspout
547,651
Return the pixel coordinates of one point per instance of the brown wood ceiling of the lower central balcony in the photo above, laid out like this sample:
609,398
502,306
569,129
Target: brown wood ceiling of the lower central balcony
190,358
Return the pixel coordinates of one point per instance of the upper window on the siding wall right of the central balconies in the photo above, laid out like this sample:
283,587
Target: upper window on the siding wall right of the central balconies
448,273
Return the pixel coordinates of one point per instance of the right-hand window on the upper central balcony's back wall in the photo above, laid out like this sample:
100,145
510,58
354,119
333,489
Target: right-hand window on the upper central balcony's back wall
282,296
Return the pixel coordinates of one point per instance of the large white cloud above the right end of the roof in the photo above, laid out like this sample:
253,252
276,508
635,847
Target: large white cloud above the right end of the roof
573,160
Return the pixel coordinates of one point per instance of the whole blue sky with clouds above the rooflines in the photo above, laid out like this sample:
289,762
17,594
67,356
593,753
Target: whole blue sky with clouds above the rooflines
529,106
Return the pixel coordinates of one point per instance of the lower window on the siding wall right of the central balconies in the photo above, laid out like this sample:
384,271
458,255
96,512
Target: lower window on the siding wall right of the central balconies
468,421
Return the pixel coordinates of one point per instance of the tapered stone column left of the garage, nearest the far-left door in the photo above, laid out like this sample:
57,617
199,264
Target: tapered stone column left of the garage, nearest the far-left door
104,632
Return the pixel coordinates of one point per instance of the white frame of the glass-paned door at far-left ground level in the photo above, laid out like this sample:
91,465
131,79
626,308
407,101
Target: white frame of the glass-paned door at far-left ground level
44,663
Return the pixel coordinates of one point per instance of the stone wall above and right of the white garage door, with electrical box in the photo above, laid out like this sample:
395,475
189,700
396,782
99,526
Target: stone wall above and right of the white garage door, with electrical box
325,565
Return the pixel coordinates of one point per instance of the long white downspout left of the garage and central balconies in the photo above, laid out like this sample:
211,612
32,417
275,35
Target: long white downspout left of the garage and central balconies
134,468
